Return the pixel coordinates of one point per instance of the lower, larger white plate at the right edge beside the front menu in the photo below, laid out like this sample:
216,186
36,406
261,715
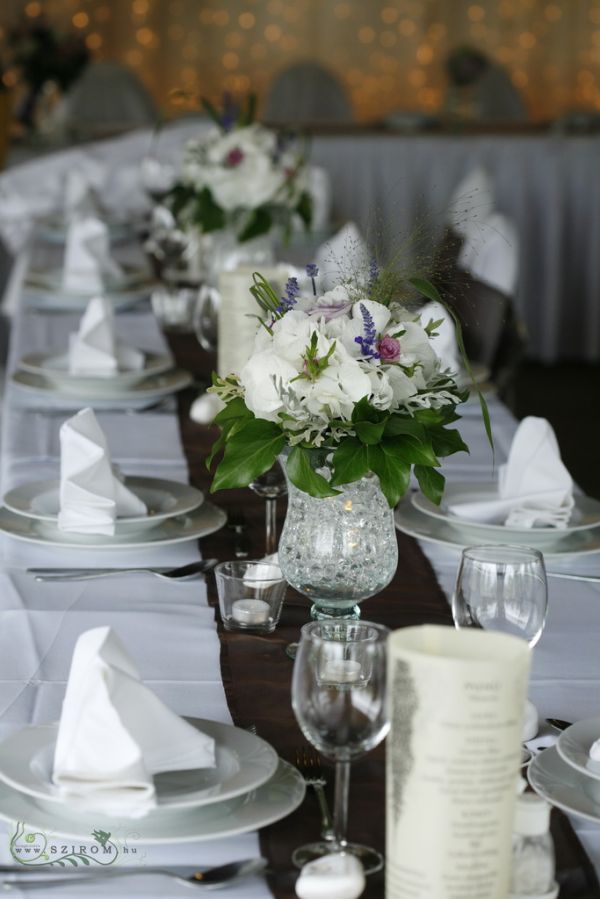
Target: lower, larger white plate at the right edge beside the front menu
563,786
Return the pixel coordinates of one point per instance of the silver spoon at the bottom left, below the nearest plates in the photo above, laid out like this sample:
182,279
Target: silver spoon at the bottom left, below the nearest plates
211,878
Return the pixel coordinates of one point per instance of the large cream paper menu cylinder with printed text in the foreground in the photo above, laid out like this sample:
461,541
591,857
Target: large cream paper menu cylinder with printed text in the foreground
453,755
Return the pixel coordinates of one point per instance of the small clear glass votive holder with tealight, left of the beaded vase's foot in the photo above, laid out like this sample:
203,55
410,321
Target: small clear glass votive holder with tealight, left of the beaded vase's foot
251,595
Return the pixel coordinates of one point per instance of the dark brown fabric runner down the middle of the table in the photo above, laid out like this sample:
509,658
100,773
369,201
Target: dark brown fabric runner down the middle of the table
257,673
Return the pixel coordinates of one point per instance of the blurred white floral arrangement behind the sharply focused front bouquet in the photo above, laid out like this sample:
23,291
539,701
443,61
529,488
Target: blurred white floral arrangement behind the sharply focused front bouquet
240,176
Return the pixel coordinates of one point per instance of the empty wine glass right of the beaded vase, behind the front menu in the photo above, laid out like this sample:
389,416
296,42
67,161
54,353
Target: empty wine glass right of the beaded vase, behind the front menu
502,588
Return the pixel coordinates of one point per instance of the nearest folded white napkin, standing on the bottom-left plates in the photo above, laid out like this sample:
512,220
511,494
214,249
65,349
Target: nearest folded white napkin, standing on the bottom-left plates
115,733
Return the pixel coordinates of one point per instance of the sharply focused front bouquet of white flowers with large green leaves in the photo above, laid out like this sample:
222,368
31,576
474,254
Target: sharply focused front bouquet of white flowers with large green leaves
350,373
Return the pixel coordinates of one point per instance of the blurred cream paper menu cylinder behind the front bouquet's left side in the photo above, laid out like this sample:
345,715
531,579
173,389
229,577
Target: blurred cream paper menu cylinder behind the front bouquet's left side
237,314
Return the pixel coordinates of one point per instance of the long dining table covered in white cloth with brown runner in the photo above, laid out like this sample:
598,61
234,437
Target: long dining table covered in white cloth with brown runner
170,628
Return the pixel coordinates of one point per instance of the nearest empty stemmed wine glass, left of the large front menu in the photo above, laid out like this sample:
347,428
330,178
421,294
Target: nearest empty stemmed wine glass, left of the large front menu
339,699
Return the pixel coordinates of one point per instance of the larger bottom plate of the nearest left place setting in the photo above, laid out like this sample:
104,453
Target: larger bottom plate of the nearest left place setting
275,799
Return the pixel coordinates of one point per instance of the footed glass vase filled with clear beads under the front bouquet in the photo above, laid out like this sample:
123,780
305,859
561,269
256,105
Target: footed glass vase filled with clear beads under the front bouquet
338,550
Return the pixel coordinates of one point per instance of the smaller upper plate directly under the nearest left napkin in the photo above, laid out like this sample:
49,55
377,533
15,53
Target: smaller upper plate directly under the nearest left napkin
243,763
